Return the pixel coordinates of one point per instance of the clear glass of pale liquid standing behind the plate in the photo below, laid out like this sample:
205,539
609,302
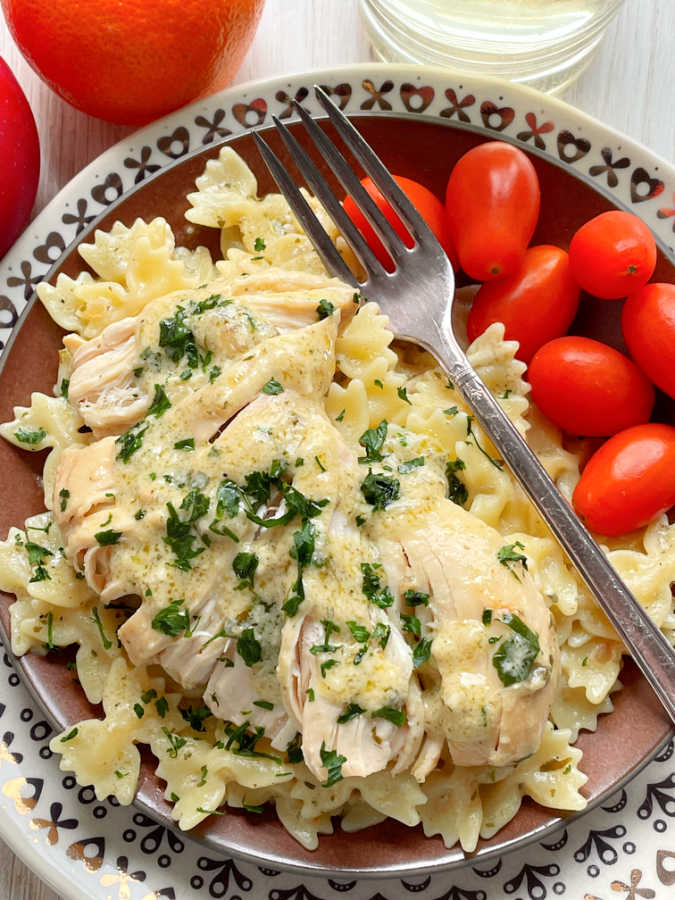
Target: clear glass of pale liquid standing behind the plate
542,43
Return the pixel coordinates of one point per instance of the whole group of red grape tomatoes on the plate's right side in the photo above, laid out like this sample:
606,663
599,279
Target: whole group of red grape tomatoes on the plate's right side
586,387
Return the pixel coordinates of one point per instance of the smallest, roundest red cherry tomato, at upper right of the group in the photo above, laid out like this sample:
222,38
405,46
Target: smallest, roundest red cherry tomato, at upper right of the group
613,255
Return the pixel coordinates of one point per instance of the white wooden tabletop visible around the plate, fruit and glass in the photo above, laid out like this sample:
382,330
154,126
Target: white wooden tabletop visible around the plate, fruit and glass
629,85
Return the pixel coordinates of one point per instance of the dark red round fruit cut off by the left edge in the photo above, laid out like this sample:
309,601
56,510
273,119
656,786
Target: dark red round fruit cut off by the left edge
19,159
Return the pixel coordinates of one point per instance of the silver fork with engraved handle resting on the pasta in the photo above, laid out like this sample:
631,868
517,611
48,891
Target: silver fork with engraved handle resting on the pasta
418,299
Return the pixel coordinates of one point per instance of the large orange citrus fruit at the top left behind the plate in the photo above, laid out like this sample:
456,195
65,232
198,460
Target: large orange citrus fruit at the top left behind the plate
130,61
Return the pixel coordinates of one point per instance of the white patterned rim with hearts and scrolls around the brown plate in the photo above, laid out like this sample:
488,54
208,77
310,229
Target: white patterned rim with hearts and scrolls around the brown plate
91,849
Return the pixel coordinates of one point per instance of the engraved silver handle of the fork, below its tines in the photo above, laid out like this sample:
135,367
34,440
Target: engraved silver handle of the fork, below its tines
648,646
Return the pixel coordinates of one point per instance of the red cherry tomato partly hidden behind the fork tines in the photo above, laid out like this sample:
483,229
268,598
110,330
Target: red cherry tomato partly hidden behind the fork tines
428,206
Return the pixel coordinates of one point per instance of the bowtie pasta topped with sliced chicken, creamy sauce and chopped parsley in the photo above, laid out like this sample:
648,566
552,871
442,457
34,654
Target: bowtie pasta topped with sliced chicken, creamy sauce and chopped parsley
288,555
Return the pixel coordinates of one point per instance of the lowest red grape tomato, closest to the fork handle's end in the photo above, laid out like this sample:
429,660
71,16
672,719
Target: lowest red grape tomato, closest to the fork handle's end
629,481
